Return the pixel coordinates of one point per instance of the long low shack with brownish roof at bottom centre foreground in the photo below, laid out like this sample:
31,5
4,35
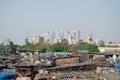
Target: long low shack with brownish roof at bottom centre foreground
66,71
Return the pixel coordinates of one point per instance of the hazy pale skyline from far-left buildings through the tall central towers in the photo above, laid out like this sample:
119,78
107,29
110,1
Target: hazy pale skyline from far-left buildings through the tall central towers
51,36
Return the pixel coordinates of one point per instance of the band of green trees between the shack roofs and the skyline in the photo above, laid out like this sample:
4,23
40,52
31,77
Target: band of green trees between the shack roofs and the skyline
62,46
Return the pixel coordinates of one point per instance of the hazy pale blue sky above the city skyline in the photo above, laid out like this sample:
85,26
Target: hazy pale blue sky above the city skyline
19,18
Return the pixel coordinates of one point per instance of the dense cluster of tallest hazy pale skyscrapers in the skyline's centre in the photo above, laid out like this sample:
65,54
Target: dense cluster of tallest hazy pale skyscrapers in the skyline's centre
72,36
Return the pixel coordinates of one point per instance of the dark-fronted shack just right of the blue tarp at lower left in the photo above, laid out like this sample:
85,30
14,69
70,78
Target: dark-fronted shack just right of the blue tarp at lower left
25,69
